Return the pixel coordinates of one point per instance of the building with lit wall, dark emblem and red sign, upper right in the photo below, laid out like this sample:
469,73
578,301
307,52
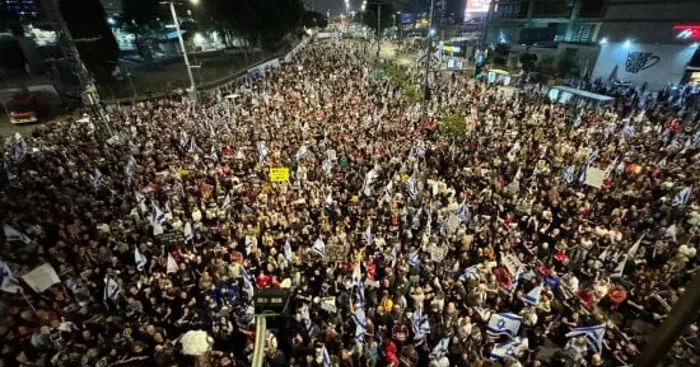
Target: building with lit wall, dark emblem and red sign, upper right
644,42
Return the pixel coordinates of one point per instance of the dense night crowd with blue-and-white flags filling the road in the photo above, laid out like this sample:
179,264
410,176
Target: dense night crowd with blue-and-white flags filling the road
531,234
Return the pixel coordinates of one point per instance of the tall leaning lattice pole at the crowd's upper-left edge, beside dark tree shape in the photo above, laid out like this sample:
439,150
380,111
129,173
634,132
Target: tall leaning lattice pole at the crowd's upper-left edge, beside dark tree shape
89,95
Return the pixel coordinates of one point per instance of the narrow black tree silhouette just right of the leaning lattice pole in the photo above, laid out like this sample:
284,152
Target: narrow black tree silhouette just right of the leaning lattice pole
87,23
